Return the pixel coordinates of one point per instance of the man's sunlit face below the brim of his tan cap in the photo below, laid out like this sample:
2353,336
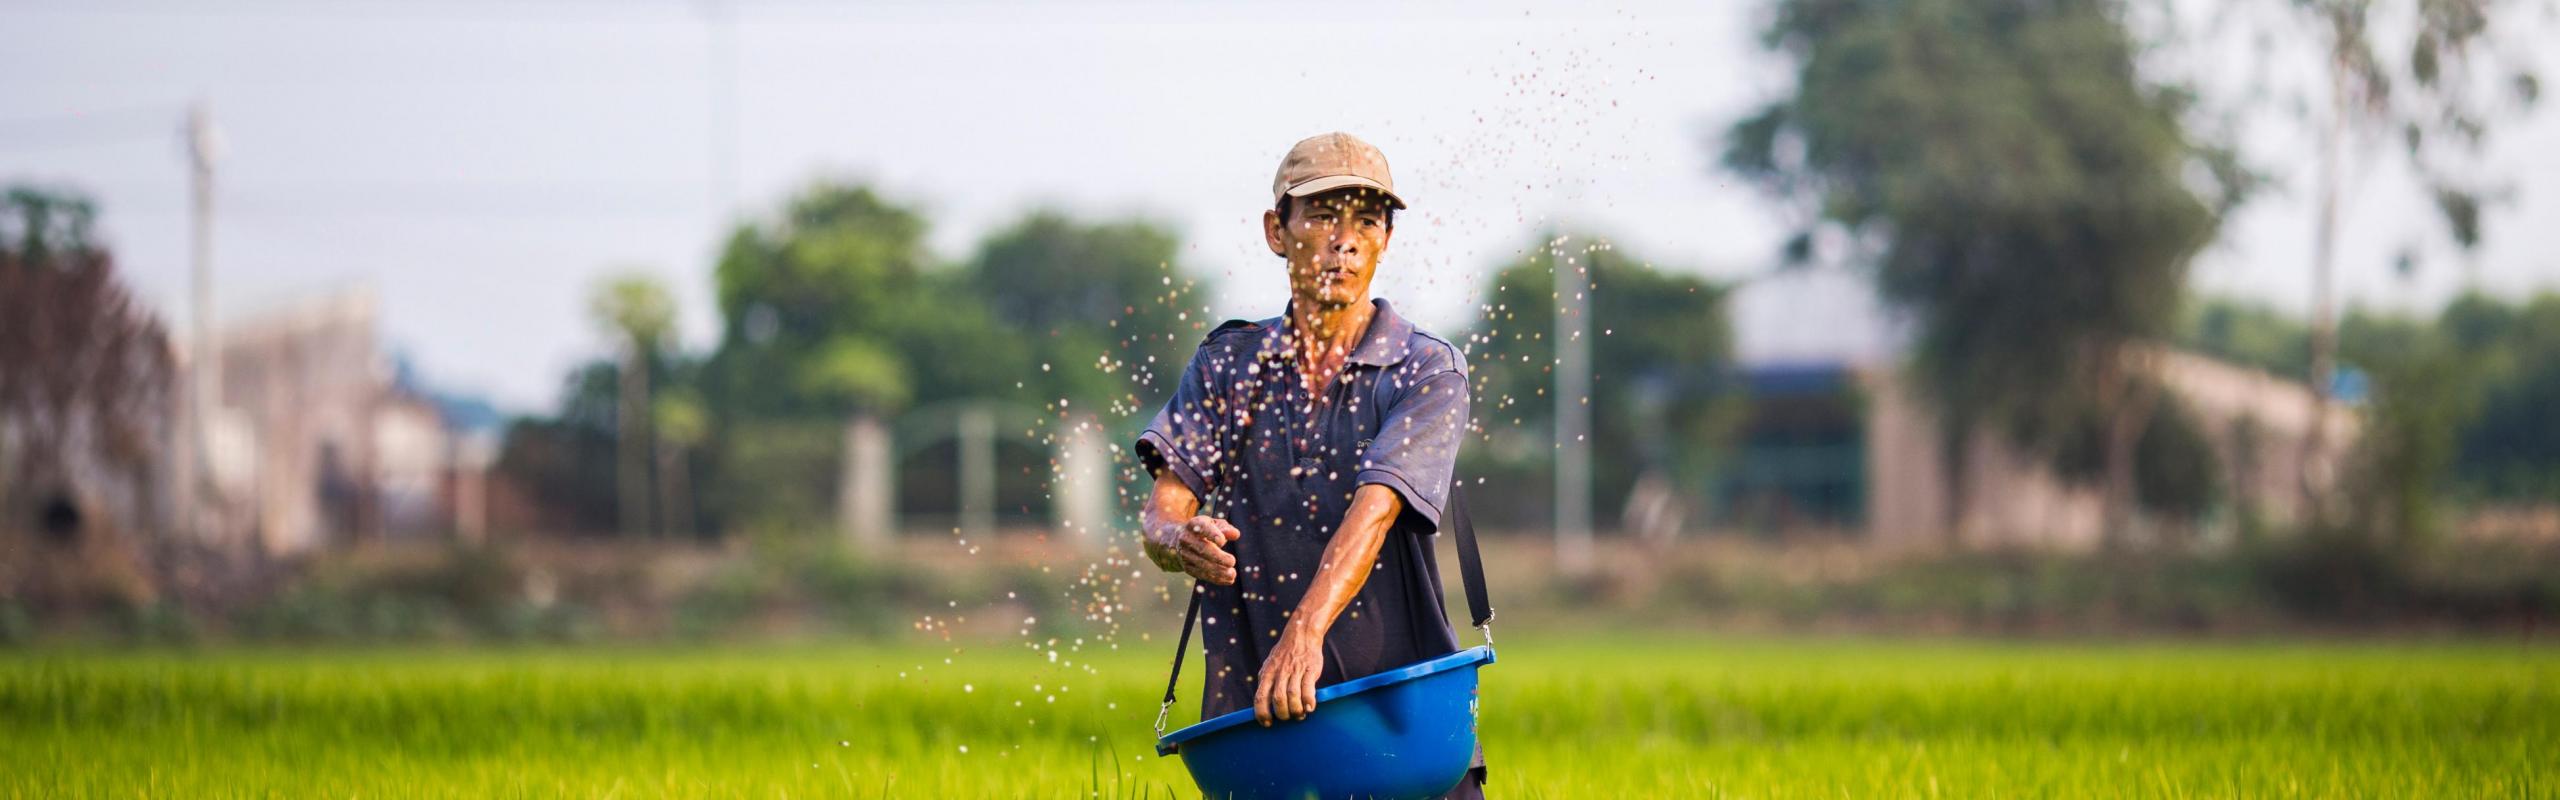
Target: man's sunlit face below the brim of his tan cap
1332,245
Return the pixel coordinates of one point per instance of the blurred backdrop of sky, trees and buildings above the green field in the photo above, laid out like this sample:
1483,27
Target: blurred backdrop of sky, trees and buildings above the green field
759,319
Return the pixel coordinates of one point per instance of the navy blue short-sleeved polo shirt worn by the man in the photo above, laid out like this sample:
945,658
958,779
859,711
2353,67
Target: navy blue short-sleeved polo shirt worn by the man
1281,465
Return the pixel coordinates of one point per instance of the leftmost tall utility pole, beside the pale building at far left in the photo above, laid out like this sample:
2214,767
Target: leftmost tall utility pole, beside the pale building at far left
206,358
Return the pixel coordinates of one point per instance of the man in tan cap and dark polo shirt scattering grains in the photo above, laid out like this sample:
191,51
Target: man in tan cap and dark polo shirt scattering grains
1327,437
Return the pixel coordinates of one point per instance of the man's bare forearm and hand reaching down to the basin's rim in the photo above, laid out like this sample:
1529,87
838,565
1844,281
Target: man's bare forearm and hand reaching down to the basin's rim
1286,688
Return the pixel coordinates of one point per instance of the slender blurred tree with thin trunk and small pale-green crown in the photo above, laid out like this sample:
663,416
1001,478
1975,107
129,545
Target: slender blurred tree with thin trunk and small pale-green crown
639,314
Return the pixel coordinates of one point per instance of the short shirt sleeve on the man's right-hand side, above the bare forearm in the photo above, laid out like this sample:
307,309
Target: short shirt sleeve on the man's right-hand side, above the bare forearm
1417,440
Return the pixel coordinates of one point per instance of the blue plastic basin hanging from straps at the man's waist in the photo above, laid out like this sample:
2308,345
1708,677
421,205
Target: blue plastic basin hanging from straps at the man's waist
1394,735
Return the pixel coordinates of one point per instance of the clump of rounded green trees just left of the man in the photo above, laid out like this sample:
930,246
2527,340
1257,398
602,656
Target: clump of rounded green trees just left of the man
838,314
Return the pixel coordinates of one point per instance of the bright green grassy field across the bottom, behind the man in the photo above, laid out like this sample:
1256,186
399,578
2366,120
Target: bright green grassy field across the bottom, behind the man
1596,717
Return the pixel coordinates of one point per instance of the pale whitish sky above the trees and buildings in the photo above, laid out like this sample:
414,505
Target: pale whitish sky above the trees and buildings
485,165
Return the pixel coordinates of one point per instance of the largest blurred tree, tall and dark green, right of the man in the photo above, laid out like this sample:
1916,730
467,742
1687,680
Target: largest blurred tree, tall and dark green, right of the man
2016,186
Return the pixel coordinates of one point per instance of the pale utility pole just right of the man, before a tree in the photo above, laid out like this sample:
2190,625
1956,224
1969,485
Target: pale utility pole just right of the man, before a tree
1573,412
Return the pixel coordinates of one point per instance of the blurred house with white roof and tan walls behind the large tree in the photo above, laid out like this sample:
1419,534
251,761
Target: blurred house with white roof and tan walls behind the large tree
1839,442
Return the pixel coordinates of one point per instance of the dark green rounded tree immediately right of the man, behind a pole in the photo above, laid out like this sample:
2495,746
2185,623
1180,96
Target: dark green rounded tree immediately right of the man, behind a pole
1663,350
